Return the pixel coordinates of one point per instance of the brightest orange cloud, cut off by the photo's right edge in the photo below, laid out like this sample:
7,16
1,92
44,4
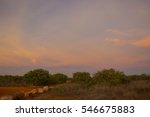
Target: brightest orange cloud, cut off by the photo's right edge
142,42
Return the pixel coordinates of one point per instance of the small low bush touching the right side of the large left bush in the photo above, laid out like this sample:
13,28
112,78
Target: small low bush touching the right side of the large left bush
59,78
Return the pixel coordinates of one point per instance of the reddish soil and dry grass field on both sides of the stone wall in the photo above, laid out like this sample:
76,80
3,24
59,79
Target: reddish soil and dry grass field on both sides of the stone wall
134,90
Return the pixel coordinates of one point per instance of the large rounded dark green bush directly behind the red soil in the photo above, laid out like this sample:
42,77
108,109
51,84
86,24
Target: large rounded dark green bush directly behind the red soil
38,77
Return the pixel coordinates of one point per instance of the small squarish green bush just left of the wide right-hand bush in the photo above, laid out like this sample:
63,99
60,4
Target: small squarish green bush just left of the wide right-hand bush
81,77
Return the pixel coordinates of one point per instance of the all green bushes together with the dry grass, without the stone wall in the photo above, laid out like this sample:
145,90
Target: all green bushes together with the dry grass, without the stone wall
104,84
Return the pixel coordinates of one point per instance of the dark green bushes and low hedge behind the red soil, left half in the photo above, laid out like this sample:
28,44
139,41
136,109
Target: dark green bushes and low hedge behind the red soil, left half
37,77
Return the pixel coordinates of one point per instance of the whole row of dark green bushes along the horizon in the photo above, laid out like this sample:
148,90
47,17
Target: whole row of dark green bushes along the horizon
40,77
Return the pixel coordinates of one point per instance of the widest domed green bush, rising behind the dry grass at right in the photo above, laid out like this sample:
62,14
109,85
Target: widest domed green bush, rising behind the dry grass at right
110,76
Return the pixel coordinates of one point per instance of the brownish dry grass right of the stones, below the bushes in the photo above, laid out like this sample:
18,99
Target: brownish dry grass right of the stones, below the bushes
134,90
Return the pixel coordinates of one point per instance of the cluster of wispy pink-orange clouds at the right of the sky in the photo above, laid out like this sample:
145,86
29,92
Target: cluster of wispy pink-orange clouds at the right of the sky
129,37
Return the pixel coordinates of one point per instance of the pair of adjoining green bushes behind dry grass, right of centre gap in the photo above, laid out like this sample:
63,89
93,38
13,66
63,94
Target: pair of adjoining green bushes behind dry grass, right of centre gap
106,76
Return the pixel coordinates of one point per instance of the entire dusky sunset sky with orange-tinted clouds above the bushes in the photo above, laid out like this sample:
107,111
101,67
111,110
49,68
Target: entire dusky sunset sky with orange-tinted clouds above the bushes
74,35
